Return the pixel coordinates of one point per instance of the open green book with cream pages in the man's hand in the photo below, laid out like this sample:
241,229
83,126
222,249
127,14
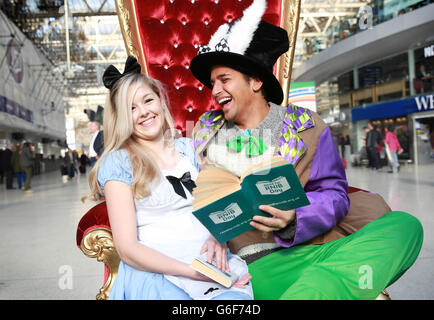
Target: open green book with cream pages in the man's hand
225,204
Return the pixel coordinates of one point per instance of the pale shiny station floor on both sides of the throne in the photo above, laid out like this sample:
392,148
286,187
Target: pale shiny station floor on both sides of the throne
39,258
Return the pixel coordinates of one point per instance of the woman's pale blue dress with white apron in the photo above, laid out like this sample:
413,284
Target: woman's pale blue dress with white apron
165,223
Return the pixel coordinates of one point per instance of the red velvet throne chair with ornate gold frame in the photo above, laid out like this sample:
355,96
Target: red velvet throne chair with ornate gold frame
164,35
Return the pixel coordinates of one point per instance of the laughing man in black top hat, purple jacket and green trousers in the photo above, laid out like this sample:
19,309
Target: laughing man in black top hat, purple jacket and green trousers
361,246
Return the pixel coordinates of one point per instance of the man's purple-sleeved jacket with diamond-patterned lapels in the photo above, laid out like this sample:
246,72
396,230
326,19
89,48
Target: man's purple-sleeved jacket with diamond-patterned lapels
326,187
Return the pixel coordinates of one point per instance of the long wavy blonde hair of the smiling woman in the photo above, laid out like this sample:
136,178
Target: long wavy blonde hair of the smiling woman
118,133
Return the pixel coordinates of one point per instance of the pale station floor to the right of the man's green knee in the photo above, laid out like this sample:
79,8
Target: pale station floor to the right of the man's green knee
411,190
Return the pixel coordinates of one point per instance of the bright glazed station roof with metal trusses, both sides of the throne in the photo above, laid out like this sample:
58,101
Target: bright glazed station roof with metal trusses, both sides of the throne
95,39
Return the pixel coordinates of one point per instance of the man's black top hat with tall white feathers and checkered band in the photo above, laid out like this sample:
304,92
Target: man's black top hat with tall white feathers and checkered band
256,57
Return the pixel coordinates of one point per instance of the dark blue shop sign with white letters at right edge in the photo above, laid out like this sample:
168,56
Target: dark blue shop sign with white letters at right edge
394,108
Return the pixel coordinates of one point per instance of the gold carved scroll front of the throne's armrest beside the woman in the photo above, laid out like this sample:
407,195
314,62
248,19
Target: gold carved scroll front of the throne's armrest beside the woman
98,243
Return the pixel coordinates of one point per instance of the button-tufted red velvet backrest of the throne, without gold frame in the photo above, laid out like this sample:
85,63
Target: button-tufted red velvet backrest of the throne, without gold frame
170,33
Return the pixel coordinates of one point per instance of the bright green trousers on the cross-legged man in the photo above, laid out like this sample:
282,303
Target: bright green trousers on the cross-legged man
358,266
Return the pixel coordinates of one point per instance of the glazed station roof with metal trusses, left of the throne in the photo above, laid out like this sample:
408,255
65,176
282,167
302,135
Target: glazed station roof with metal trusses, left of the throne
95,41
